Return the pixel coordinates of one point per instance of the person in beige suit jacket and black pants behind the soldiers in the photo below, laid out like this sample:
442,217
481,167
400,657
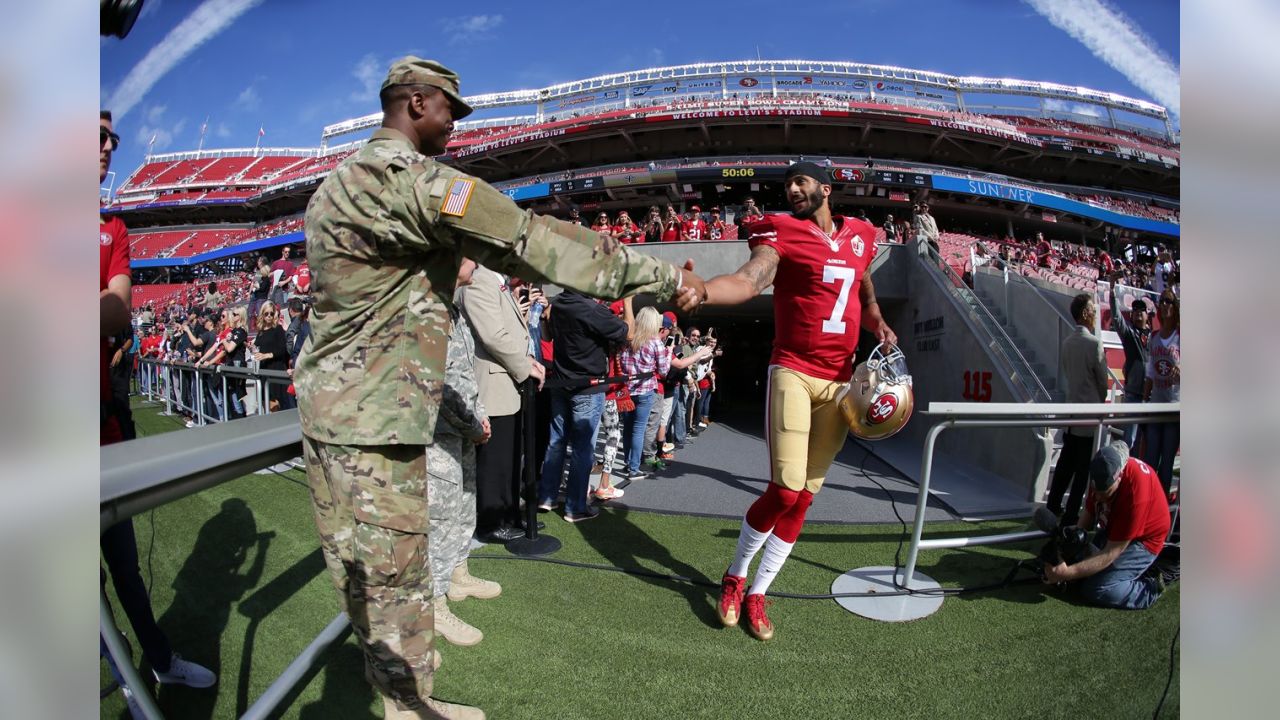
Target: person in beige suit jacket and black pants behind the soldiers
502,364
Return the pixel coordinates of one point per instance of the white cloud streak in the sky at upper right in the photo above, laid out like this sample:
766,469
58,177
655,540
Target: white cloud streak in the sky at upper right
1119,43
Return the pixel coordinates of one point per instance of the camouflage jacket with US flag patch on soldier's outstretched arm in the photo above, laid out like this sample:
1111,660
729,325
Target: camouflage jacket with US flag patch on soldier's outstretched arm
386,234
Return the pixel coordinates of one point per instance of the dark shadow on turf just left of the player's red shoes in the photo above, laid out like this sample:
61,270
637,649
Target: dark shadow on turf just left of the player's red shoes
624,545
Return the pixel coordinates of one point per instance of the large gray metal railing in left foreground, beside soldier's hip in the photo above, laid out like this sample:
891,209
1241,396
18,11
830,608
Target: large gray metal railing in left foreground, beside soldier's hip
150,472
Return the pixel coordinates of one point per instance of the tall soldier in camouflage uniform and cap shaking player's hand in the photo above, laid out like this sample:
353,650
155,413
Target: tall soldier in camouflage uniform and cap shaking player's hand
386,235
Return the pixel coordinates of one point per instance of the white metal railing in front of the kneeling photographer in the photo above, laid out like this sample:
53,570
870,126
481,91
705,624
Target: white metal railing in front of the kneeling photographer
1014,416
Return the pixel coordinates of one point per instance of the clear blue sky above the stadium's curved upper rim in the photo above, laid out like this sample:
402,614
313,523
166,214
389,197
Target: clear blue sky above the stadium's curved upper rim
296,66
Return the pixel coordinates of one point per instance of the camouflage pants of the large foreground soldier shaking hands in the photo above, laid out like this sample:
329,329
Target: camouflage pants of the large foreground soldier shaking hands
372,513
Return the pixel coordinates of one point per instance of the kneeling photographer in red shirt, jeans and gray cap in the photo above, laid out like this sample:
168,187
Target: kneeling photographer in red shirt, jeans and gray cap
1132,513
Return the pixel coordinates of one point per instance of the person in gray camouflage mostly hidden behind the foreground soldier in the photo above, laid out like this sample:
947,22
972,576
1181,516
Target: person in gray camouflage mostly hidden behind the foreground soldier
451,489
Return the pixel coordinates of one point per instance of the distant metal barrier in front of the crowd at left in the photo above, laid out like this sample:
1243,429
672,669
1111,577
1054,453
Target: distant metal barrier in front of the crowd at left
208,393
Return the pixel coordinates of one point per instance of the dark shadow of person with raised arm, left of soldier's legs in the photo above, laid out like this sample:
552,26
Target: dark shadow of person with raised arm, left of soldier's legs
209,584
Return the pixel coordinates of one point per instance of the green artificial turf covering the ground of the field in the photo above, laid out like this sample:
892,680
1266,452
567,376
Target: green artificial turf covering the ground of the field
240,586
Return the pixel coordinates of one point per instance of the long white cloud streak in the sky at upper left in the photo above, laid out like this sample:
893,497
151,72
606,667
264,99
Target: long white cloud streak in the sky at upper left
202,25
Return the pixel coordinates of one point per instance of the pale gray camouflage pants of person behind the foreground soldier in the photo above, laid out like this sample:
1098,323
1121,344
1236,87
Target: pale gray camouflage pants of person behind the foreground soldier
452,489
